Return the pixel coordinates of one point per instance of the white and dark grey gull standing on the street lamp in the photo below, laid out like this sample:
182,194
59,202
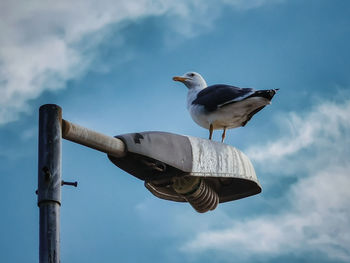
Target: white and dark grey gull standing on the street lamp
222,106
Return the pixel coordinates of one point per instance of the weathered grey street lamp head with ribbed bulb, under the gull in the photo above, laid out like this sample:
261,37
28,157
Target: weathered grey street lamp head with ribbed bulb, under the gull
188,169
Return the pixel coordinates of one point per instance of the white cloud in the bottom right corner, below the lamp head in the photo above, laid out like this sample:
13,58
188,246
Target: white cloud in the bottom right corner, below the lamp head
318,222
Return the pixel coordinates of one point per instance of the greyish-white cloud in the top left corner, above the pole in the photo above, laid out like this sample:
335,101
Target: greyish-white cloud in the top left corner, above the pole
44,44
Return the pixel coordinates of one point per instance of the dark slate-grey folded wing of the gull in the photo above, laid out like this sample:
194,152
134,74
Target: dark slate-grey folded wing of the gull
217,96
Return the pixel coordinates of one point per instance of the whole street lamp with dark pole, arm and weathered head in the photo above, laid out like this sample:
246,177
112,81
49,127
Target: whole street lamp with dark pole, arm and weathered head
173,167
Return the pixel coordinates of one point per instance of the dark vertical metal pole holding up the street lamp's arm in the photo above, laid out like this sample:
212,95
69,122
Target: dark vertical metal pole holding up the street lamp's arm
49,182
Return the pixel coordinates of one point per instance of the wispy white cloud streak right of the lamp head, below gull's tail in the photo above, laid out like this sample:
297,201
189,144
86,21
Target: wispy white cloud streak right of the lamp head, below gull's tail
316,128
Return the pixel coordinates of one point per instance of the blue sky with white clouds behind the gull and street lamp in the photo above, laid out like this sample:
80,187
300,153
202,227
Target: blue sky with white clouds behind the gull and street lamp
109,65
